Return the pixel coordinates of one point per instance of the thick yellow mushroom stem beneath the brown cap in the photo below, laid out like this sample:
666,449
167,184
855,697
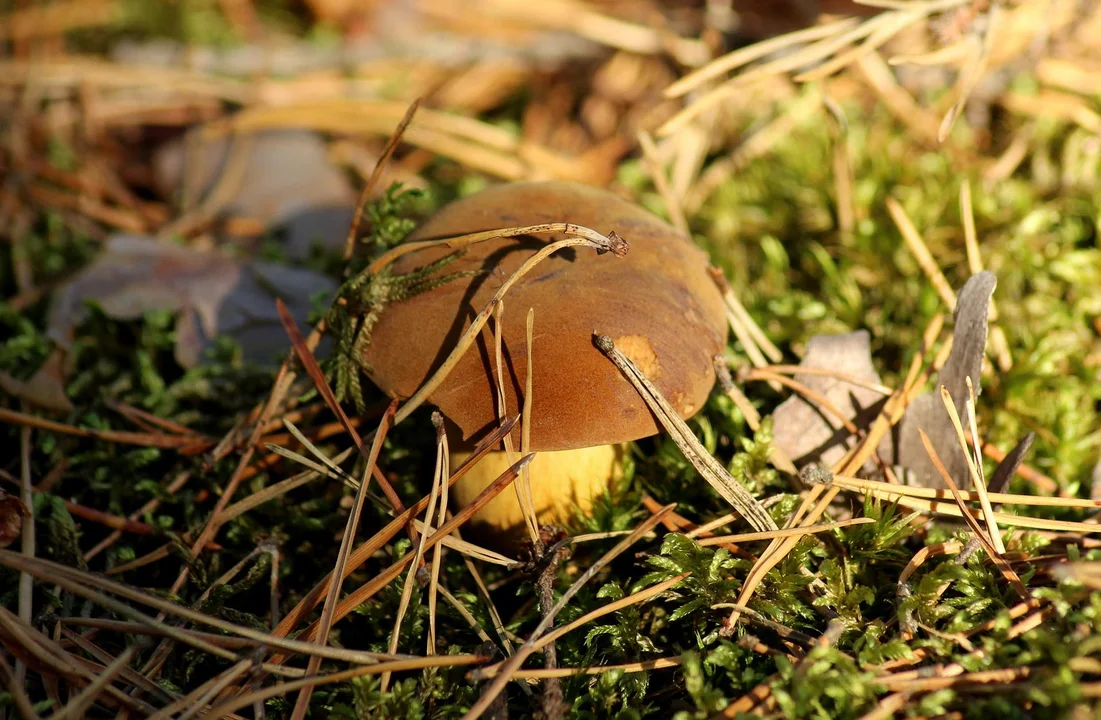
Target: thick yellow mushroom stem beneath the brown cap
563,483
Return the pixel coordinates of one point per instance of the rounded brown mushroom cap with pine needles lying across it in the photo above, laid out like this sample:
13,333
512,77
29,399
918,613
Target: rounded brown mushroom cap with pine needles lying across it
658,303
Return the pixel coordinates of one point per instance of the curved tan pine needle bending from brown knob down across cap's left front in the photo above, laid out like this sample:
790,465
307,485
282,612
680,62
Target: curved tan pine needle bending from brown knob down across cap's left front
611,244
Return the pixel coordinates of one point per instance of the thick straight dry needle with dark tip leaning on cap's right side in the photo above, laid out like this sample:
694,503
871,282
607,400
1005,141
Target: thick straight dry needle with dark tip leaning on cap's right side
712,470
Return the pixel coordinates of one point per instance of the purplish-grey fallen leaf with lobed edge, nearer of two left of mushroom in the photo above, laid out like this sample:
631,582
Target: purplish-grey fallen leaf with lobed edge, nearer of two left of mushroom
213,293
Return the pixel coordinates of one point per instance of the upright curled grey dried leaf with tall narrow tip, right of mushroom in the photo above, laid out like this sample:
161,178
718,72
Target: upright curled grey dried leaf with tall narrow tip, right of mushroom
929,413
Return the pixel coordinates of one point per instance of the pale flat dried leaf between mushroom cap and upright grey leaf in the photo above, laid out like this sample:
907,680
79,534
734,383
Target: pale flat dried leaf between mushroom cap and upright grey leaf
803,429
